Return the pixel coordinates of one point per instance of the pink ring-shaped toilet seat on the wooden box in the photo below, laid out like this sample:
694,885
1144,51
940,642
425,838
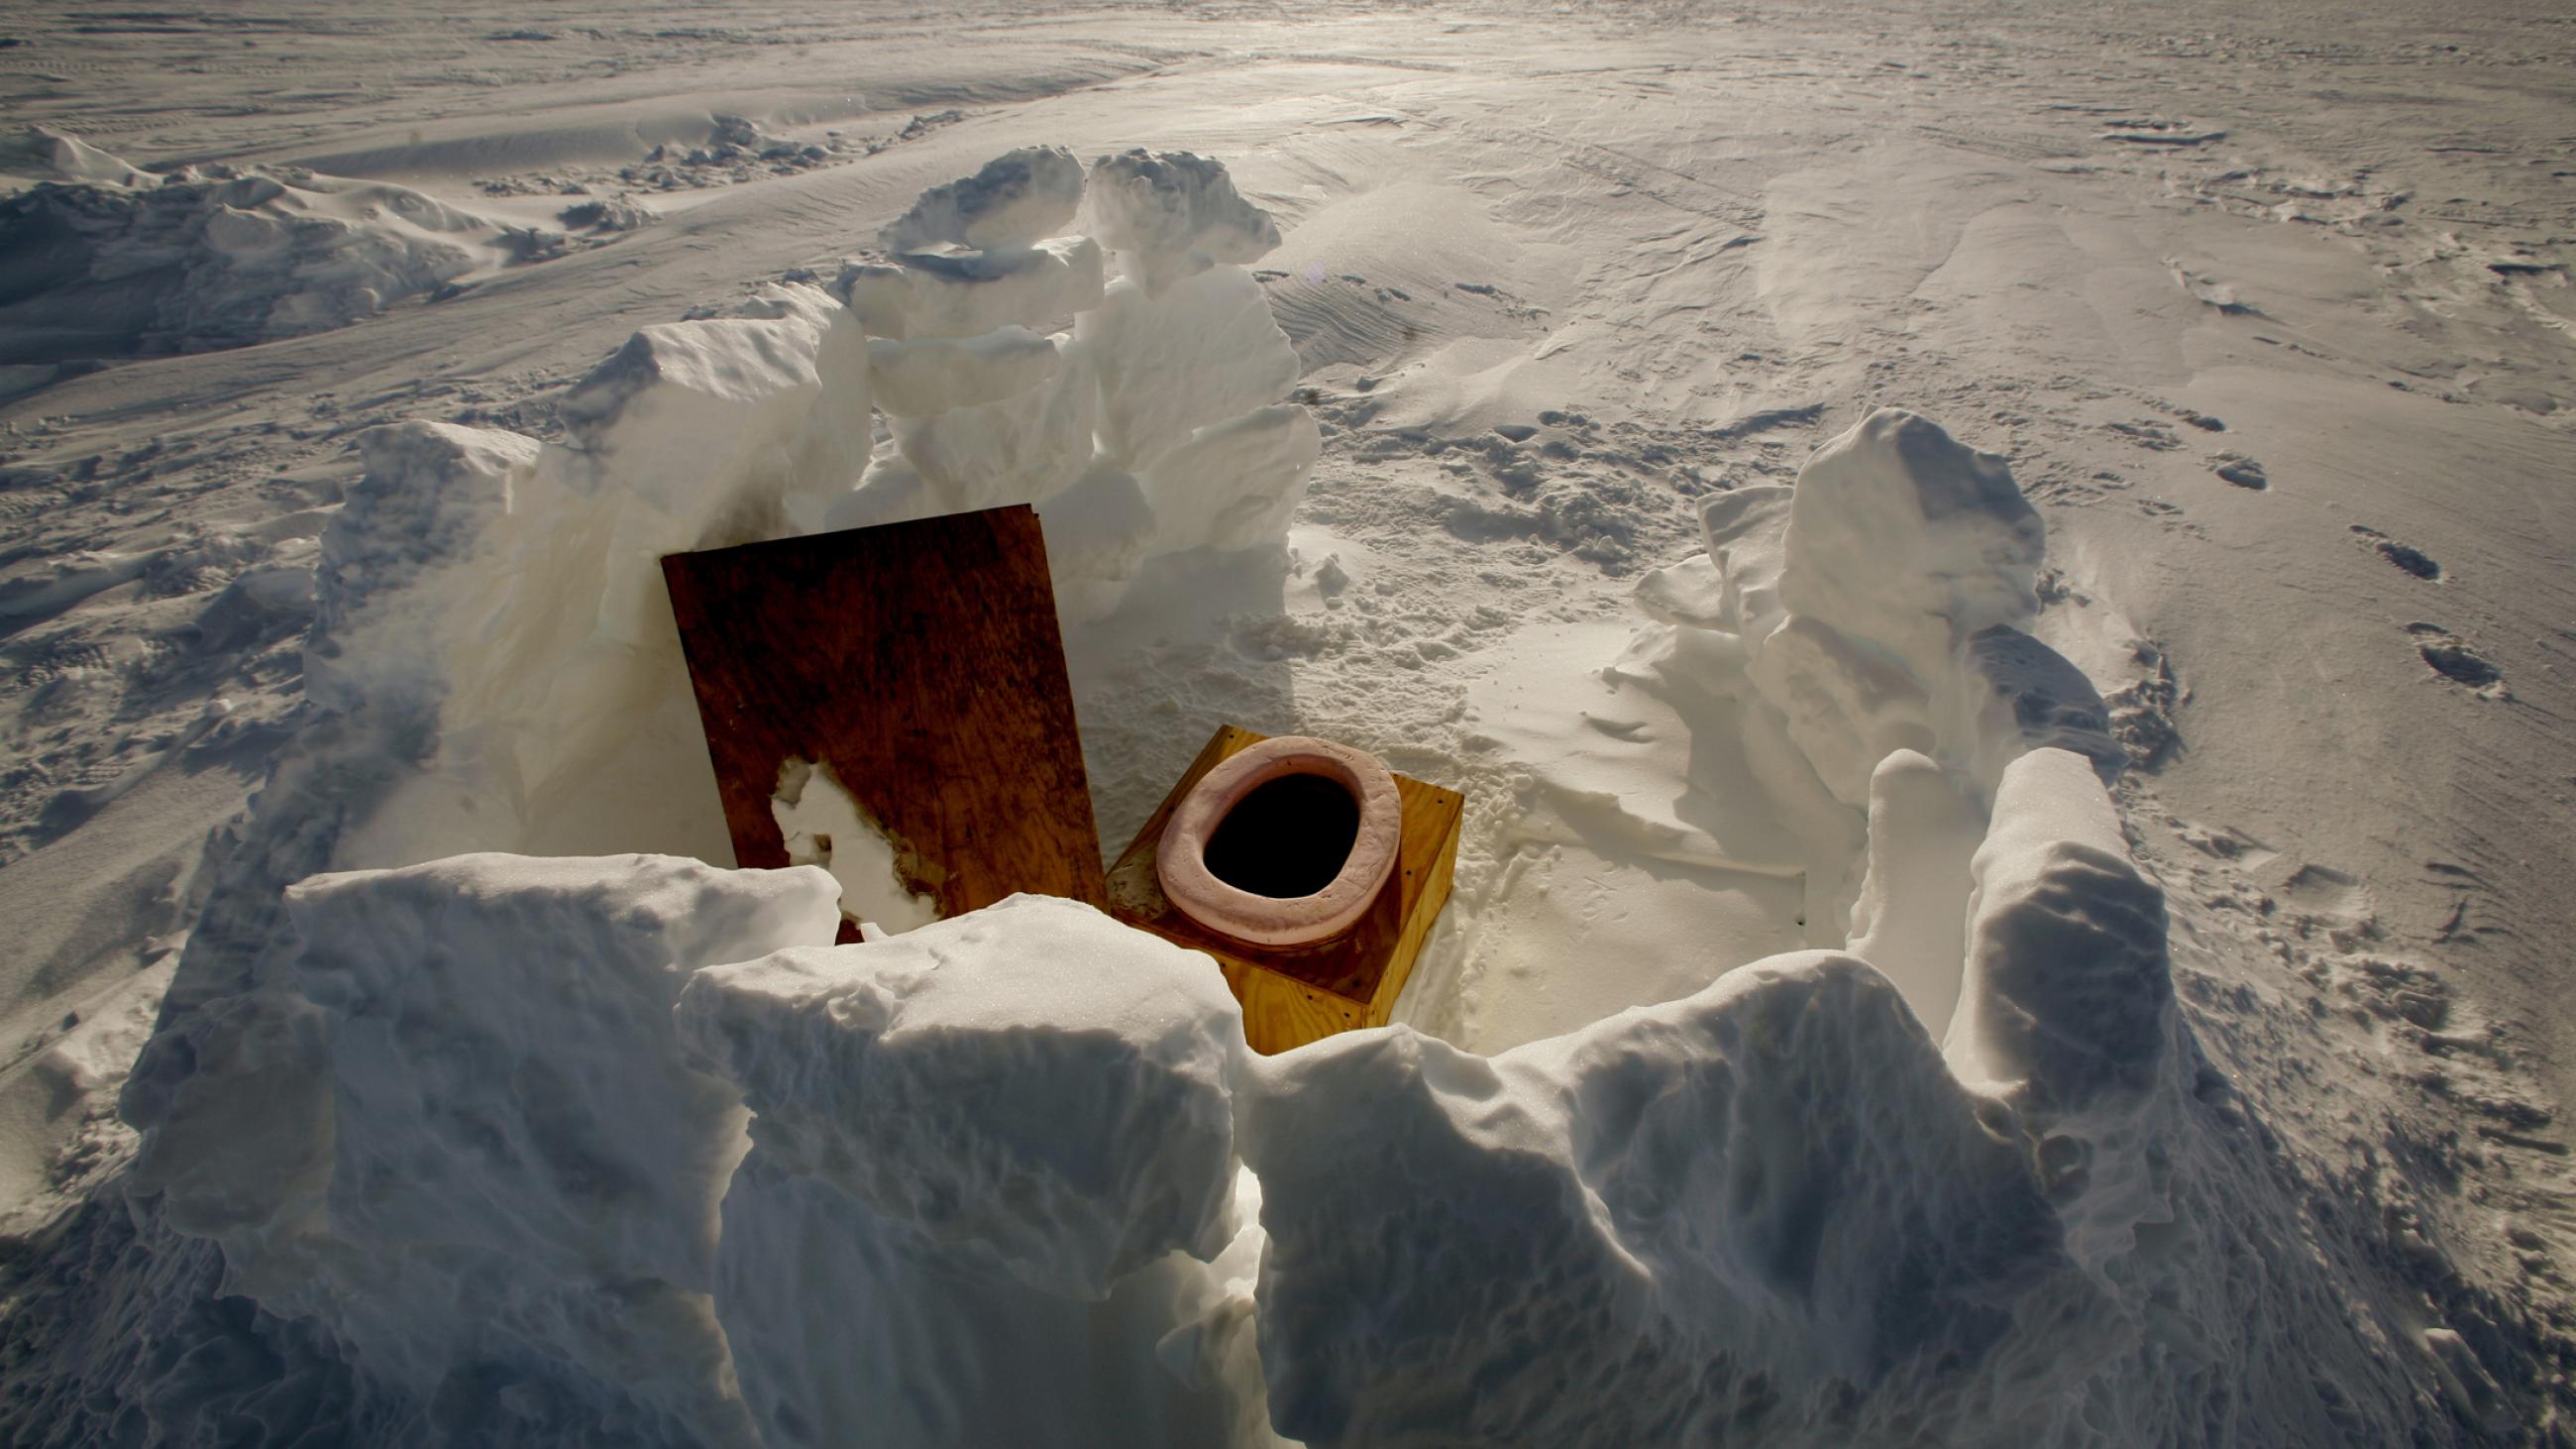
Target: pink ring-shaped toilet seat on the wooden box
1266,919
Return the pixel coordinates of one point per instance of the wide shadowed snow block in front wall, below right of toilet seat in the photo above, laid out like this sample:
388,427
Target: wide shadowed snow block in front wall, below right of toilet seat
1725,1218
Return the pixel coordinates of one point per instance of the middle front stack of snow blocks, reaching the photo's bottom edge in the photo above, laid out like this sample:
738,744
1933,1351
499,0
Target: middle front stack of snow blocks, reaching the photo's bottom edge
988,1167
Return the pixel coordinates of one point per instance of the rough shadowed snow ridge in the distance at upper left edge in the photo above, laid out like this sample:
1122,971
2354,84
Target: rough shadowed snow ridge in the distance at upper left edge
112,262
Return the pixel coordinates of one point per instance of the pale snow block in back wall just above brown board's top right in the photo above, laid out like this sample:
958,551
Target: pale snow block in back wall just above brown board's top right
1019,450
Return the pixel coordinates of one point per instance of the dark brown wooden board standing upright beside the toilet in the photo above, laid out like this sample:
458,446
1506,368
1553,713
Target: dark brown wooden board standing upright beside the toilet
923,664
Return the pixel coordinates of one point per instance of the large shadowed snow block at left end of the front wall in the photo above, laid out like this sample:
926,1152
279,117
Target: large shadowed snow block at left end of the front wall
455,1125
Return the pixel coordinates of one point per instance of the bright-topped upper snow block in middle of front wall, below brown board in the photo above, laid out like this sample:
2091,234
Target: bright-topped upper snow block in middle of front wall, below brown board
1029,1082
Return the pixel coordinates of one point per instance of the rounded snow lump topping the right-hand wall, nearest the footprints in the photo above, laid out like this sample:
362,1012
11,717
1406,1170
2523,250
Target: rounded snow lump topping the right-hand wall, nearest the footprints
1910,540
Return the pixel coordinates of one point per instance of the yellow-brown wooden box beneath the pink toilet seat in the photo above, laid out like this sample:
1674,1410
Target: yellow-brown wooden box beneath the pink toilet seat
1305,994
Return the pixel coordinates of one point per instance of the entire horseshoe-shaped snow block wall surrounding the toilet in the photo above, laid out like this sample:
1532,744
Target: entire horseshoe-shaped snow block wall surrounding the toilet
578,1149
